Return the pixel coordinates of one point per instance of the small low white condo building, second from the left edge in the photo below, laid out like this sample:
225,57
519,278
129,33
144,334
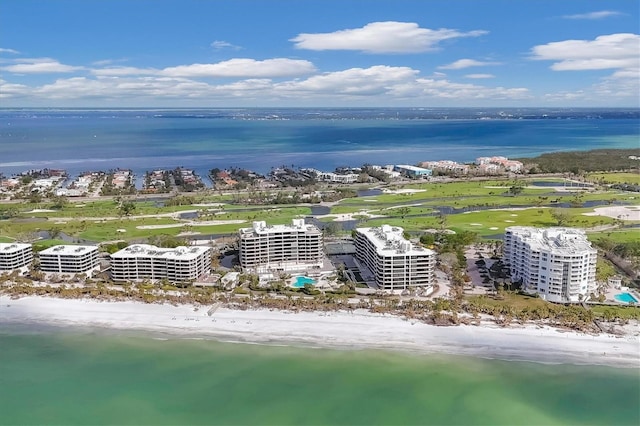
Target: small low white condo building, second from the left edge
69,259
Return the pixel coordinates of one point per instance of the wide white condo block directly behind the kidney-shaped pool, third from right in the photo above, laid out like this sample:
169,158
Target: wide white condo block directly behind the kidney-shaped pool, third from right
295,247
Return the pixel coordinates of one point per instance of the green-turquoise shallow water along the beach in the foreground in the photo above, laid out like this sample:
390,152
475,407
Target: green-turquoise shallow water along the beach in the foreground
77,377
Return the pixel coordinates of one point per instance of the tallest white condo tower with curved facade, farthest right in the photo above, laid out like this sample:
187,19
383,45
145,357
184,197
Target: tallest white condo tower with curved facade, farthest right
559,264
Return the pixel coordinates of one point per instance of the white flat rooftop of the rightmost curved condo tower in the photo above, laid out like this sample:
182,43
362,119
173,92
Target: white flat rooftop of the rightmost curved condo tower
558,240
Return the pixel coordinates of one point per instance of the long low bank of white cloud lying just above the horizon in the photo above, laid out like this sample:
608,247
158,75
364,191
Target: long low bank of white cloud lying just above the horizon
376,85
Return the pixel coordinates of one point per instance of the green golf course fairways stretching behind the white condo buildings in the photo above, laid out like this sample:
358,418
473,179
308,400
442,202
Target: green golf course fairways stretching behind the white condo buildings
480,207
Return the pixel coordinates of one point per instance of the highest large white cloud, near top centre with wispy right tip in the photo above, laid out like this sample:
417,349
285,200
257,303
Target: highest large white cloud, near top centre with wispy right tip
381,37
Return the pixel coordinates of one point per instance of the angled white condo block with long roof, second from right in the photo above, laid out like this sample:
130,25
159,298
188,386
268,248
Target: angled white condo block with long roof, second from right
393,262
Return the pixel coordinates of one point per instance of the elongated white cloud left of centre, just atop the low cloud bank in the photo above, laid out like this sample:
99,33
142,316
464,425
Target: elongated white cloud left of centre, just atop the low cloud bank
244,68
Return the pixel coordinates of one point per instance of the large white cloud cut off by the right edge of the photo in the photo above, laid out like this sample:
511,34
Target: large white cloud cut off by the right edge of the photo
604,52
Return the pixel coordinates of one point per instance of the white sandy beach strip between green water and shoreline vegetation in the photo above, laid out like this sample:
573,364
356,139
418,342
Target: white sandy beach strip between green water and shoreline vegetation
342,330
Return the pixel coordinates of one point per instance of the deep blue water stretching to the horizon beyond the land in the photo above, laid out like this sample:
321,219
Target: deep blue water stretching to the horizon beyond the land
259,139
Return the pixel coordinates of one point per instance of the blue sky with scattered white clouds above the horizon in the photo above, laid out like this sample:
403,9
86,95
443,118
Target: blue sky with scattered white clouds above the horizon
306,53
